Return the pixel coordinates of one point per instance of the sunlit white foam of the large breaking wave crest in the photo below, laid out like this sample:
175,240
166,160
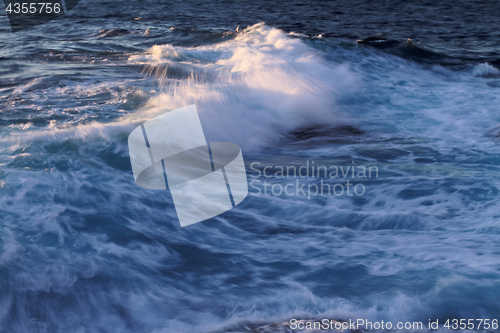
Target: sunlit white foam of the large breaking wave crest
255,88
